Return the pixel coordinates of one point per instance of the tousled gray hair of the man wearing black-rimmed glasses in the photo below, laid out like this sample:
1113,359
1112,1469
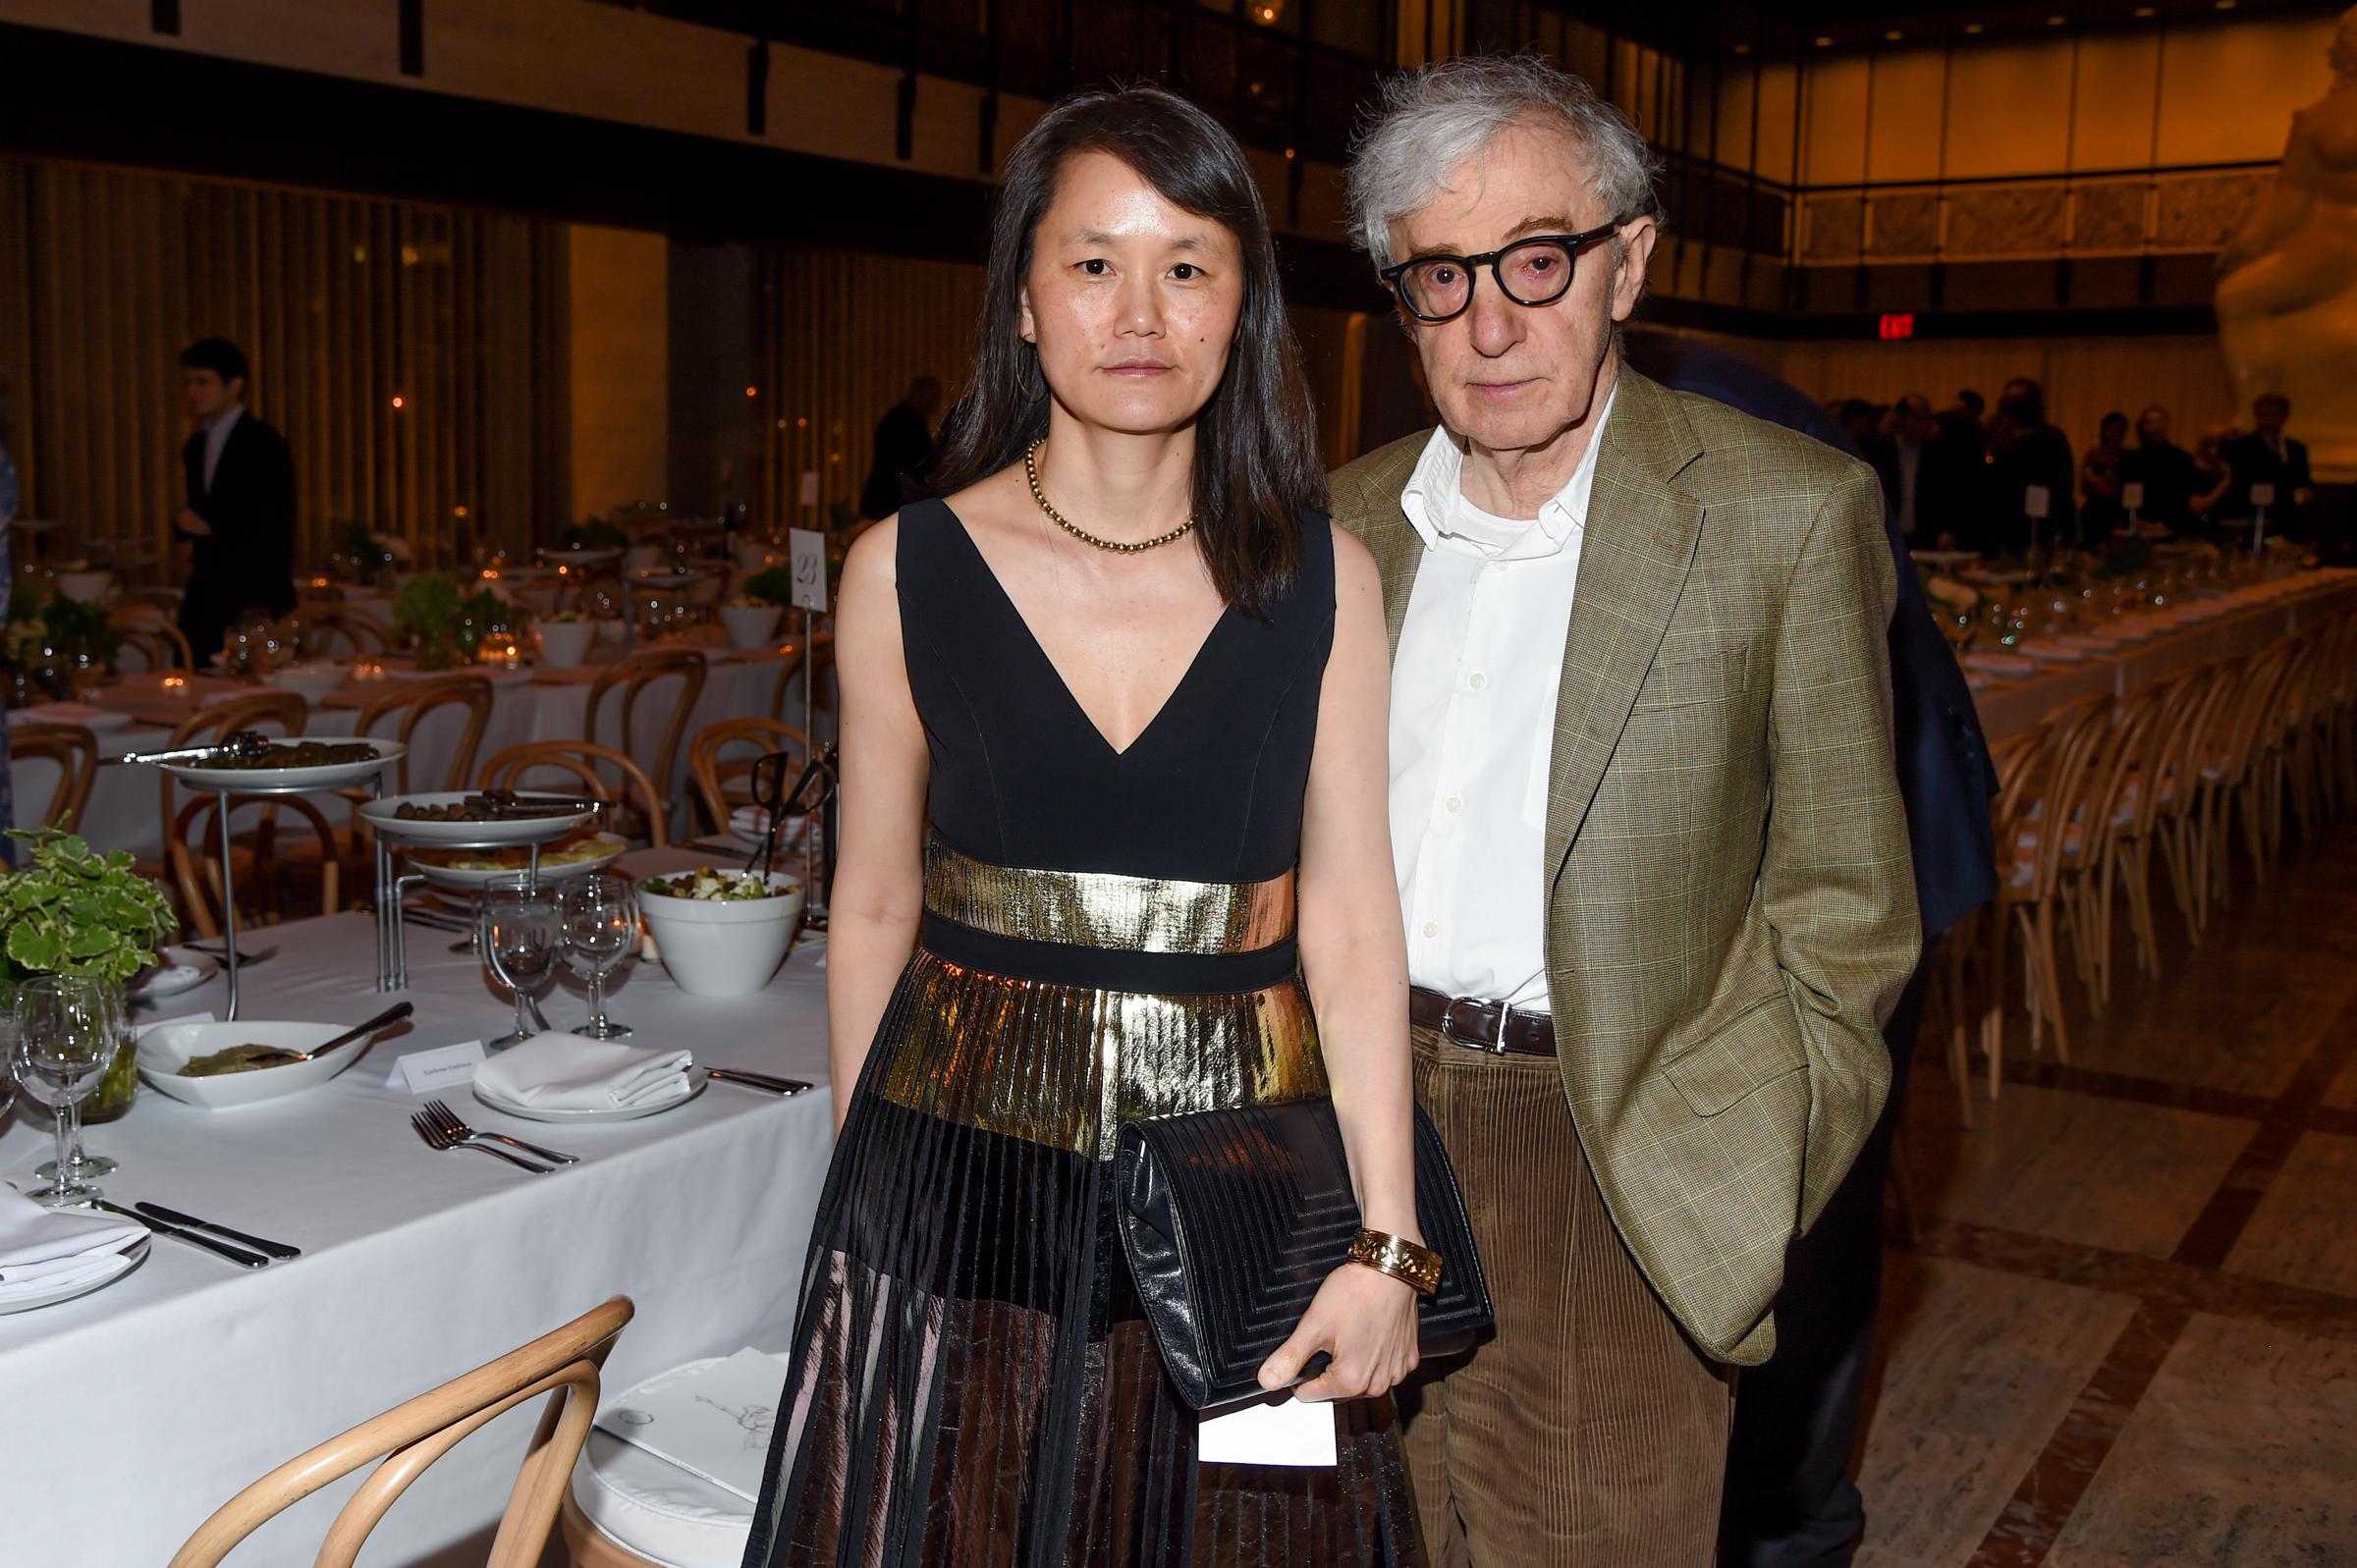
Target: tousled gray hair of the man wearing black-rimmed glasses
1434,119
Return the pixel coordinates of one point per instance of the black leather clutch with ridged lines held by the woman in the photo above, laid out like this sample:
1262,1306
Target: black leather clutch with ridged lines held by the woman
1236,1218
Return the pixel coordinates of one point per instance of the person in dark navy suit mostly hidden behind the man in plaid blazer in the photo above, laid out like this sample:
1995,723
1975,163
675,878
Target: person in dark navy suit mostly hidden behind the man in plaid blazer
1790,1498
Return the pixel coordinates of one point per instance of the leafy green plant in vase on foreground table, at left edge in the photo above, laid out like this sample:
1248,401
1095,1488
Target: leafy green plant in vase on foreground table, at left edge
81,914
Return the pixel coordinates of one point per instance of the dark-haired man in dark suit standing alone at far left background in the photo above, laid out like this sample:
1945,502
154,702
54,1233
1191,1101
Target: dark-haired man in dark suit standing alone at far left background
242,501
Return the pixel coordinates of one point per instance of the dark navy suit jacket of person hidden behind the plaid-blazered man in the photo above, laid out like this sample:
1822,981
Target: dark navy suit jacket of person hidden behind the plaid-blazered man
1943,760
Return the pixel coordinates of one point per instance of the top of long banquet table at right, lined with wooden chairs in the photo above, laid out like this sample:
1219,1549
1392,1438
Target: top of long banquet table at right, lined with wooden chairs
2250,619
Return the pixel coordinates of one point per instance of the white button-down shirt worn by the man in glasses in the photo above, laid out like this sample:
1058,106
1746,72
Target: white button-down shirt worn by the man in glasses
1474,723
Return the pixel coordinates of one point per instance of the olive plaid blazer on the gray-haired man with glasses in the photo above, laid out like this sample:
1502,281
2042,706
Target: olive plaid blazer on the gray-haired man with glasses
1731,909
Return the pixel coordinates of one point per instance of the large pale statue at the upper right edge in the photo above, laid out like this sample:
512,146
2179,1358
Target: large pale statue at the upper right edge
2287,284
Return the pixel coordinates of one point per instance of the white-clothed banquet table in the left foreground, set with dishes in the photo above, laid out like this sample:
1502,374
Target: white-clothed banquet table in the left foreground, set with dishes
131,1414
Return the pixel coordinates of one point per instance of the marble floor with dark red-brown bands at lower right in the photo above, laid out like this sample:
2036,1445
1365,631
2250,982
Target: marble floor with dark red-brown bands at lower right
2122,1326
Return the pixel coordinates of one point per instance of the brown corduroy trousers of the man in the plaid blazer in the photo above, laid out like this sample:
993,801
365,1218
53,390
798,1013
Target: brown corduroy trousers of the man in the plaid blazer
1590,1432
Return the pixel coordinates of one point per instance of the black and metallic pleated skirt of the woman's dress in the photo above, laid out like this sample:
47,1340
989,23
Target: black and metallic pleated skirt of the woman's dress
975,1383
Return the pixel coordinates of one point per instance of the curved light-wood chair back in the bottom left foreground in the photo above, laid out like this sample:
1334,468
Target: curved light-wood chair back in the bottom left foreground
411,1437
